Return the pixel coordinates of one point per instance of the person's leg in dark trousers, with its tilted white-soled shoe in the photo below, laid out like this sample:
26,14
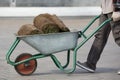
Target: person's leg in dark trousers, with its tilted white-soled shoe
97,46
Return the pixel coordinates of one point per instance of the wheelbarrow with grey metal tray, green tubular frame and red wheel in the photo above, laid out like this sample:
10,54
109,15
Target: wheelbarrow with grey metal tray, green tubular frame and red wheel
49,44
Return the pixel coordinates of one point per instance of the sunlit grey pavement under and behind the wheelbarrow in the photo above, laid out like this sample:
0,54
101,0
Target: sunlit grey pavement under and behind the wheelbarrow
107,66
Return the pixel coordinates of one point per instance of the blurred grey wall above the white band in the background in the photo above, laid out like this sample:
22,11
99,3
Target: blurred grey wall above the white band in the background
50,3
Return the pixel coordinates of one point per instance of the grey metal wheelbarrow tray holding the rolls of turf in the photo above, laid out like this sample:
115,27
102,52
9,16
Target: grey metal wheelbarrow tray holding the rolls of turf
52,42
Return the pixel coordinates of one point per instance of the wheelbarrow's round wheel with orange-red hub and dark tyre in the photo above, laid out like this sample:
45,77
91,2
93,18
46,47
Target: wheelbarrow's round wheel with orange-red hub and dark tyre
26,68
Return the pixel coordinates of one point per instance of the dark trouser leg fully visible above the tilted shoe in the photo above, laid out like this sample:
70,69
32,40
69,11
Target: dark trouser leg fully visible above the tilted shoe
100,41
